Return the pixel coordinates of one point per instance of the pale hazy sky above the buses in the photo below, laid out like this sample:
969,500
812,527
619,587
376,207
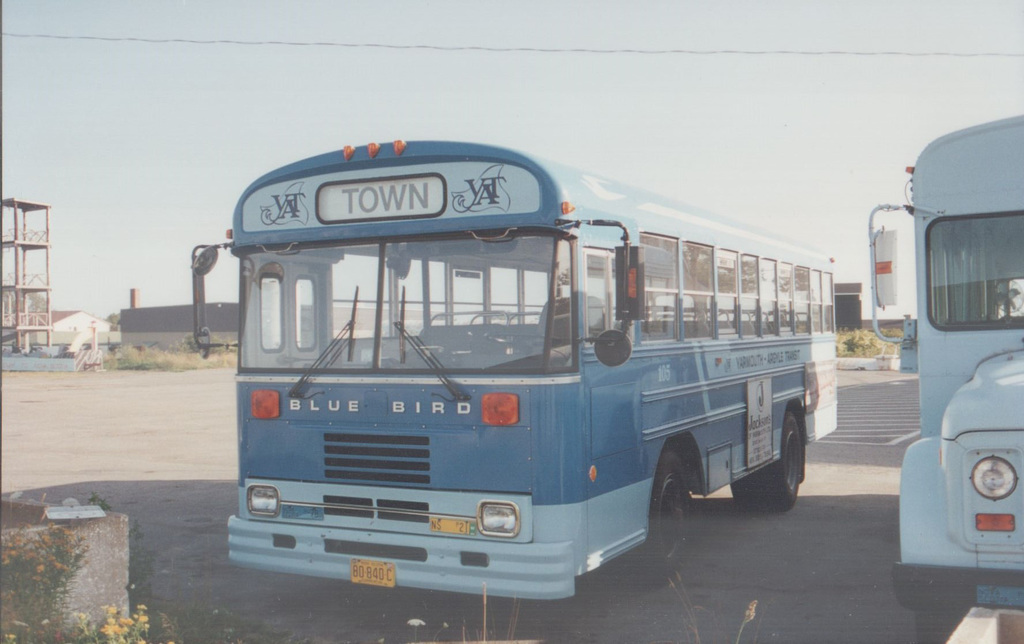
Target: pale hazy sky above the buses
144,149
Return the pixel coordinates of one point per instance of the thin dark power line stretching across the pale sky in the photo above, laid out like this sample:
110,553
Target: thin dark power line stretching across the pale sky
588,51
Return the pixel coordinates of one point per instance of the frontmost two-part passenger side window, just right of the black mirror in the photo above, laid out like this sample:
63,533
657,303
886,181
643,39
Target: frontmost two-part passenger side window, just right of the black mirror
661,287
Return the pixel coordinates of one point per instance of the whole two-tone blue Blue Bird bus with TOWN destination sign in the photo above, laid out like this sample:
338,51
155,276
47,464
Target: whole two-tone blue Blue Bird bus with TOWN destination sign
460,365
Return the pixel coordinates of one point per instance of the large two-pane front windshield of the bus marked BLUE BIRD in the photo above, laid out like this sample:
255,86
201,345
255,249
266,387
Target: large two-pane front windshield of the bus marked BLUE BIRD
473,305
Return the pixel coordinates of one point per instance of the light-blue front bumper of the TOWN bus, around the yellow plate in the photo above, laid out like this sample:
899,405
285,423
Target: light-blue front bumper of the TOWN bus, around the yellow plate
530,571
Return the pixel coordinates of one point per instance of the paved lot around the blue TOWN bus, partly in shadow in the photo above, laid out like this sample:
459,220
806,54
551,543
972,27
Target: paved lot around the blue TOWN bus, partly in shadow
161,448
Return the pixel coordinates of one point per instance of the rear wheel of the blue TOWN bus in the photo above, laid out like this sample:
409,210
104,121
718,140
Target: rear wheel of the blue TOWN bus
775,489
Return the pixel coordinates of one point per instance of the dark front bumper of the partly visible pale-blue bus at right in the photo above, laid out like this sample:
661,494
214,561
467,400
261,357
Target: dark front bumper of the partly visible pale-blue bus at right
923,588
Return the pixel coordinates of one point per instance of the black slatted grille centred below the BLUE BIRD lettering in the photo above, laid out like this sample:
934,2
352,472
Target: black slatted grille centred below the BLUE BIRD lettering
374,458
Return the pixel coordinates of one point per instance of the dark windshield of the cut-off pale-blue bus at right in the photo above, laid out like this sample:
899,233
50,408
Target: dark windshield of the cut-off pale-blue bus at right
976,272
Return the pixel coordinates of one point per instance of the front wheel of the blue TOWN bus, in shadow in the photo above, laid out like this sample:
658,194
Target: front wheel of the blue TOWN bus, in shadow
670,504
